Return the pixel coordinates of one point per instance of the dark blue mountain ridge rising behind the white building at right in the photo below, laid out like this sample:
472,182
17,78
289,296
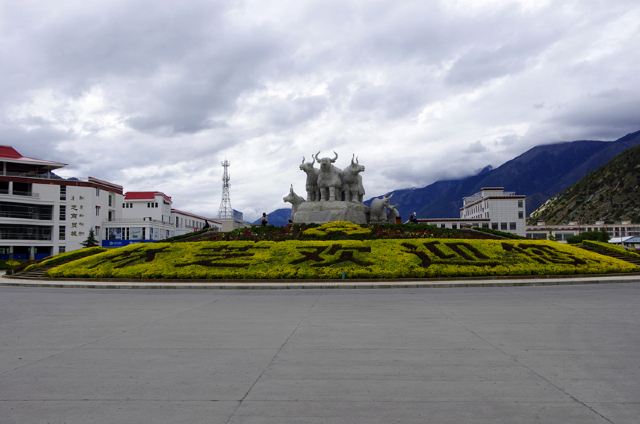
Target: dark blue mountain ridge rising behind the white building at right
539,173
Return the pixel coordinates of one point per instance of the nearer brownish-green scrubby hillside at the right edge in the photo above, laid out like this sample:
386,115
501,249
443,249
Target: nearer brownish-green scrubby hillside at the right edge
612,193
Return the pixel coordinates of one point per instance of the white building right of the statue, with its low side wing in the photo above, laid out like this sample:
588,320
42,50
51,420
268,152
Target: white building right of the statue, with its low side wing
491,207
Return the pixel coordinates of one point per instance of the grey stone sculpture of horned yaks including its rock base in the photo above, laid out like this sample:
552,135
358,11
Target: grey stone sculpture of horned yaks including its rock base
336,194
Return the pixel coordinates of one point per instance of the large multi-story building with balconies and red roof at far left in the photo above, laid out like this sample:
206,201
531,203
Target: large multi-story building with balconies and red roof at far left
42,214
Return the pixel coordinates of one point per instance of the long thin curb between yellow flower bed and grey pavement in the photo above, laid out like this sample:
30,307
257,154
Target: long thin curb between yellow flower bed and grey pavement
270,285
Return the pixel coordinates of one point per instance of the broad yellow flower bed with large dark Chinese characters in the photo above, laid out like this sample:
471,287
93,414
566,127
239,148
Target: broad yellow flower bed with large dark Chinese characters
364,259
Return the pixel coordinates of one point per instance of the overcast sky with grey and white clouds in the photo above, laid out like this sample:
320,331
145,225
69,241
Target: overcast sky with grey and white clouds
153,94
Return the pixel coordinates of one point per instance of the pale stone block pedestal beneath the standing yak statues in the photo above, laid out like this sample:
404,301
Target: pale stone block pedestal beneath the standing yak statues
321,212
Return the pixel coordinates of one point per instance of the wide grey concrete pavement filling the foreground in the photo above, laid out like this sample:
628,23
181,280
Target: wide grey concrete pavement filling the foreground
563,354
